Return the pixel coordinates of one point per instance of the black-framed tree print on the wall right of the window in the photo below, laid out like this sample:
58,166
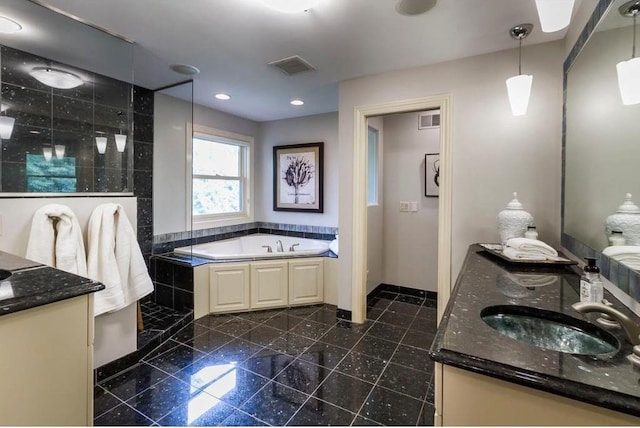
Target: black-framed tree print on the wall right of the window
298,173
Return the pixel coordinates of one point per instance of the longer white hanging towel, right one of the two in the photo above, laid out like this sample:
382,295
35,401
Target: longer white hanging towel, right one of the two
115,259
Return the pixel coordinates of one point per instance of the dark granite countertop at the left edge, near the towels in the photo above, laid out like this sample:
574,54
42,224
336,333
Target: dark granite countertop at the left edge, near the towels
32,284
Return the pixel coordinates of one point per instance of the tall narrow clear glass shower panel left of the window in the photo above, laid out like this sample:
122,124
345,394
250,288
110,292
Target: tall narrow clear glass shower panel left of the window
173,118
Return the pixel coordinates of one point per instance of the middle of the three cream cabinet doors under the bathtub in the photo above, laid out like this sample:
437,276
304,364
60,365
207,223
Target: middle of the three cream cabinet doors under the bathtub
269,282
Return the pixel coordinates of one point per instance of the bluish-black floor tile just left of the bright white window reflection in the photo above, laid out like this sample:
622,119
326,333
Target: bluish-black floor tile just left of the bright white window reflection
160,399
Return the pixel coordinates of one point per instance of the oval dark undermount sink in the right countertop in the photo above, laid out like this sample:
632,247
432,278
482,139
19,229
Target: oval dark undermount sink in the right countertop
549,330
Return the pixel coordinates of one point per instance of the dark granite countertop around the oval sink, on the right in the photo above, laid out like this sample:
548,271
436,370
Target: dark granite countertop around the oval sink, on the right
463,340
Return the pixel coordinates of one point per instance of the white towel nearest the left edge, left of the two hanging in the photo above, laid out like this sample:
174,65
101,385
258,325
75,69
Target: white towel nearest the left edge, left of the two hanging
56,239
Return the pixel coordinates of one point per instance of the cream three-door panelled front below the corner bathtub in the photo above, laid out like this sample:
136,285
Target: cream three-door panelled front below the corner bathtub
235,287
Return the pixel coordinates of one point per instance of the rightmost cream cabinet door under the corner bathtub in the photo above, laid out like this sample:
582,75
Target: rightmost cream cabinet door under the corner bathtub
306,281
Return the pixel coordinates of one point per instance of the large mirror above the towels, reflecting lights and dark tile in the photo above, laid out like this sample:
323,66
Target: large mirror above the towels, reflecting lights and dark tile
66,105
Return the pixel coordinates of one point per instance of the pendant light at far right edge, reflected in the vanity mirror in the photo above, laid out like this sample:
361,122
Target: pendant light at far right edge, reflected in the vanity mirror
629,71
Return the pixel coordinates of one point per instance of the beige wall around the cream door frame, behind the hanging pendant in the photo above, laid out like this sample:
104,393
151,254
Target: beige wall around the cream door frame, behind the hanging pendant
494,153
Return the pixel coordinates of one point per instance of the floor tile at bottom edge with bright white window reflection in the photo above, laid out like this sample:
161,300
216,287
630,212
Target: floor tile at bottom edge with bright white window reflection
201,410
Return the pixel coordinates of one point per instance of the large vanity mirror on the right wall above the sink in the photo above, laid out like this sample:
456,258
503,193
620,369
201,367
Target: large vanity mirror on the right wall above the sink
601,151
